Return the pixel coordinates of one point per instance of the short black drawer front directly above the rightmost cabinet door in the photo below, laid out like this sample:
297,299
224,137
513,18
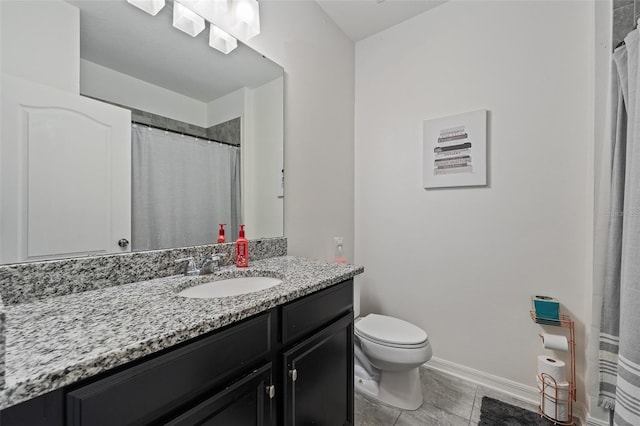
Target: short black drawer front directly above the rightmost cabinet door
306,315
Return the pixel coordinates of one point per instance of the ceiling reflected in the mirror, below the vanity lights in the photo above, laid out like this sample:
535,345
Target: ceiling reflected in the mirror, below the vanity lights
119,36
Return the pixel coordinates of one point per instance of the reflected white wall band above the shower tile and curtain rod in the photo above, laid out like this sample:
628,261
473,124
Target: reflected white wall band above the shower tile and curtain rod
110,85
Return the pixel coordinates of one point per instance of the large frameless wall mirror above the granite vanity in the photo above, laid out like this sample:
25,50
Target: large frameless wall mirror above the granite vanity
200,122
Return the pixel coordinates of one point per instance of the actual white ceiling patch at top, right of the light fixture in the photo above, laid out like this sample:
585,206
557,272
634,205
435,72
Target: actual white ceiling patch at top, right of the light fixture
360,19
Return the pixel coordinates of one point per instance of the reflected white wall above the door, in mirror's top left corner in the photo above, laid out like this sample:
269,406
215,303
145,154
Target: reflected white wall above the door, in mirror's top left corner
53,60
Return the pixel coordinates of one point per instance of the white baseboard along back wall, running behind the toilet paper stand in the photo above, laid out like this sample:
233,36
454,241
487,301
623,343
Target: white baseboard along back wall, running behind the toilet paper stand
514,389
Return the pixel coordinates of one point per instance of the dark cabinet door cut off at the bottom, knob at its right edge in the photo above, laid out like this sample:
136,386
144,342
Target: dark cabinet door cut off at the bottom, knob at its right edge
247,402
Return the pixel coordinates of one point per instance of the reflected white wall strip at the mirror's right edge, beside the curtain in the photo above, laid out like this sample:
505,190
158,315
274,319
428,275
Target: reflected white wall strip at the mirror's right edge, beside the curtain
263,154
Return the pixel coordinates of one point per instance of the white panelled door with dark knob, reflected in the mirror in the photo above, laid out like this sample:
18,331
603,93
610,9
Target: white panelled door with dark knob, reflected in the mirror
65,174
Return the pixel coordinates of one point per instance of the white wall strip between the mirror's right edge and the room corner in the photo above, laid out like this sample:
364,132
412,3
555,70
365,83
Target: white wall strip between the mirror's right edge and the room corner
319,99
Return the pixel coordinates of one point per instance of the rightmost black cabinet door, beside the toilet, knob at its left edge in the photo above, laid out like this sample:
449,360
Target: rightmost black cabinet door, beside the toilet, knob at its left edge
318,385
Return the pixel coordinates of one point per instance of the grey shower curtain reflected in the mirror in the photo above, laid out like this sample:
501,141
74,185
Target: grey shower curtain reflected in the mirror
182,188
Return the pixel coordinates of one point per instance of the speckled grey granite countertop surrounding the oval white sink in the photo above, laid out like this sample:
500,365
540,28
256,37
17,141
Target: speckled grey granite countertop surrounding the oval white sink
57,341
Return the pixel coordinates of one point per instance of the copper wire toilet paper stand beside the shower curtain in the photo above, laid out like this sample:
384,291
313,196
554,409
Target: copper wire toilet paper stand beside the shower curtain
549,389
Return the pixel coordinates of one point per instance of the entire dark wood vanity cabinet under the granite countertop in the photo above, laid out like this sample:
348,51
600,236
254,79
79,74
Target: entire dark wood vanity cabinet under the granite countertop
291,365
